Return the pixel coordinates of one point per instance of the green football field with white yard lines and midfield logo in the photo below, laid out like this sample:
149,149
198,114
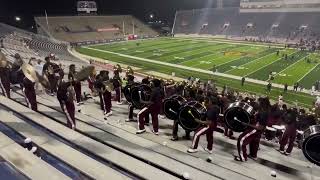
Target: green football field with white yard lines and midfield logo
242,59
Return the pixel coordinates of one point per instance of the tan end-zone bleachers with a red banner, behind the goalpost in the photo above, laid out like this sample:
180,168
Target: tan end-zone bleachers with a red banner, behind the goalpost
92,28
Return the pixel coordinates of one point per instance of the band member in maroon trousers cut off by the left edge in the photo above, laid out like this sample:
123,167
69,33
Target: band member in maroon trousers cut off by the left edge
4,76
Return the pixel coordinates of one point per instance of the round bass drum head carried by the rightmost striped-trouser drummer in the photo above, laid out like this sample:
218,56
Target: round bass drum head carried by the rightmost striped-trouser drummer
236,113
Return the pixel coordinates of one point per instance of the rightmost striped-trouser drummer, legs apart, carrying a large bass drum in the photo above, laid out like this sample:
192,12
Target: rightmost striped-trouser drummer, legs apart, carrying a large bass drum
252,135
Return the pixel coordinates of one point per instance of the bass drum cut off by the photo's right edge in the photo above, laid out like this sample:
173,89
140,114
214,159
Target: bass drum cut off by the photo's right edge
311,144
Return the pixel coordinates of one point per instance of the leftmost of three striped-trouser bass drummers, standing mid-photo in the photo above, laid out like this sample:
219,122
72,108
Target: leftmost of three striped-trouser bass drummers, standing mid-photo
153,108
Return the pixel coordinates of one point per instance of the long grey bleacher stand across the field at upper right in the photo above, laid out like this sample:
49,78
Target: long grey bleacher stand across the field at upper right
191,22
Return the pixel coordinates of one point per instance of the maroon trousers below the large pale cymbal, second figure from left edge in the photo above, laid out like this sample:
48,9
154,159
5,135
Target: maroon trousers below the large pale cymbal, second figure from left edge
30,94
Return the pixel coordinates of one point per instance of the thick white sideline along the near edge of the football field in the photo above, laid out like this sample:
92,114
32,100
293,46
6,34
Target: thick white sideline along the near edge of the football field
194,69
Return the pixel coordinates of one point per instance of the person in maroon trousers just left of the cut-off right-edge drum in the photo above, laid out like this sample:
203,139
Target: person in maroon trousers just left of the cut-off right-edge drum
290,134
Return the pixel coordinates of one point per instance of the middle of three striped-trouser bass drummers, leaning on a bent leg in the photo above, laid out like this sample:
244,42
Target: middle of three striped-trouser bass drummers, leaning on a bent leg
207,127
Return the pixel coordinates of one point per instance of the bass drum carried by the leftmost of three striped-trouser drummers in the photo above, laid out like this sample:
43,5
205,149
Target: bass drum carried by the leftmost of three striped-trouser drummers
145,92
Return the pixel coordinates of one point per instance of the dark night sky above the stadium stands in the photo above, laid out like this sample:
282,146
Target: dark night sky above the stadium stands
163,9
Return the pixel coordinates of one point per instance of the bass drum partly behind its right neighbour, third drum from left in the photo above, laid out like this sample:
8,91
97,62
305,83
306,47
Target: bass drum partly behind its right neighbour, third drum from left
172,105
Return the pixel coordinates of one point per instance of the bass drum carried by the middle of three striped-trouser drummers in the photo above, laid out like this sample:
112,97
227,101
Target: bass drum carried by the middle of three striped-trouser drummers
186,120
